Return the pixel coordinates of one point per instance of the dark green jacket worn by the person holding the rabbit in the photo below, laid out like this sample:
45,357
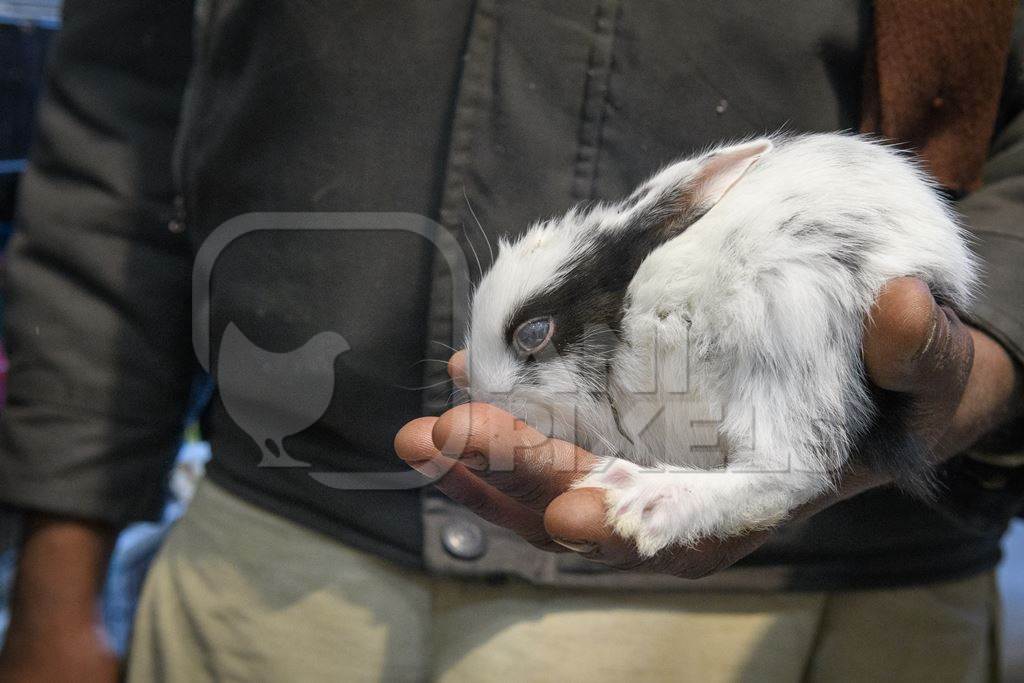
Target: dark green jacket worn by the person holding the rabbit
521,109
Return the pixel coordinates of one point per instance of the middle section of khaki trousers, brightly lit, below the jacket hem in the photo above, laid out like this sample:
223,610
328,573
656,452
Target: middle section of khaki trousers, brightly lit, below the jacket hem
524,633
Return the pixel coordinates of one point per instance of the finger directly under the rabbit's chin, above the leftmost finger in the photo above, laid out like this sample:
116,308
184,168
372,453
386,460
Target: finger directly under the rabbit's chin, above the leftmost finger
510,455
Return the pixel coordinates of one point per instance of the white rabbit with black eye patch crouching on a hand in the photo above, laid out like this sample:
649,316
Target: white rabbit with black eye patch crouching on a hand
705,334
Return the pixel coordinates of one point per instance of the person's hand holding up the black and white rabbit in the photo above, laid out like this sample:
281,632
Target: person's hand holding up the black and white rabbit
959,381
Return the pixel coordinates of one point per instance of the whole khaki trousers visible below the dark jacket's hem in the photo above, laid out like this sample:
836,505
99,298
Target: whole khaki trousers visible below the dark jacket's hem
238,594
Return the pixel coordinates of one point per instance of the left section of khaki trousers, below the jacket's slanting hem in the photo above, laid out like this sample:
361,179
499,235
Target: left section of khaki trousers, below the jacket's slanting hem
241,594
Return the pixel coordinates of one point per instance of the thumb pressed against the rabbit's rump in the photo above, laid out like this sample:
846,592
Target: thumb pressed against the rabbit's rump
913,345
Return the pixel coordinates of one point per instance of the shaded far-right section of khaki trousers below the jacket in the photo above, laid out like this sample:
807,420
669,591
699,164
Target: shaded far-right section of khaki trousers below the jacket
941,632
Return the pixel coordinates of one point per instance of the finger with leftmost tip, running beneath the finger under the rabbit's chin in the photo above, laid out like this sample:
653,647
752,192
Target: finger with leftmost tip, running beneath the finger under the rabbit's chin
414,445
